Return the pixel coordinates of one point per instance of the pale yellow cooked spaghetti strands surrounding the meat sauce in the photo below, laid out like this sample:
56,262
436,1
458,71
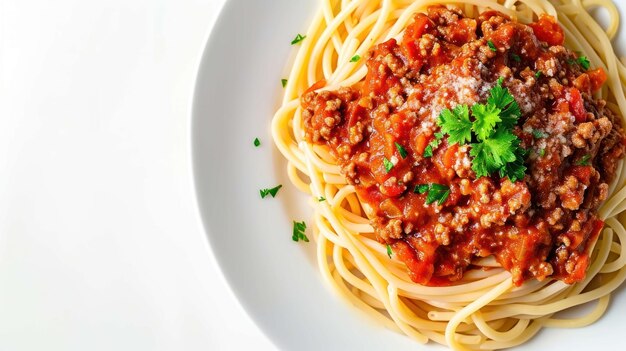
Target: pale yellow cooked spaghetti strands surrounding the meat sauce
484,309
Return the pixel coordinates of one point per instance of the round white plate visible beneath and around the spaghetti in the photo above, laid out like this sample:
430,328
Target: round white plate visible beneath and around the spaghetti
275,279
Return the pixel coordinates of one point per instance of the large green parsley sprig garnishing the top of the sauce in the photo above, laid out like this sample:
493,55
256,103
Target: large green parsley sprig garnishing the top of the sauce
495,149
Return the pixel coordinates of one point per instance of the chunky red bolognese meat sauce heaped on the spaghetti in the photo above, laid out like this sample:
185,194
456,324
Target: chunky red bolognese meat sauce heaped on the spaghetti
385,134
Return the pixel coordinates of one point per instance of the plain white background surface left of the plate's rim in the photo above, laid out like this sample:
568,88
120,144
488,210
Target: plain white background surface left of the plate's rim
101,246
